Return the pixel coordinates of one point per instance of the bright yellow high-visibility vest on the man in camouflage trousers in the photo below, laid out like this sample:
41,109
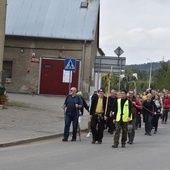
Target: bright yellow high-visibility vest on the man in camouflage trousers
125,111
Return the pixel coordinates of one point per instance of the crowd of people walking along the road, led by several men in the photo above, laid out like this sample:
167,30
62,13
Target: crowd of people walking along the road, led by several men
121,112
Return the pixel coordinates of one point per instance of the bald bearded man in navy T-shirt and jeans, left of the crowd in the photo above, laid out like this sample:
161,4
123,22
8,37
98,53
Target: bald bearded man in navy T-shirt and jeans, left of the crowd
72,104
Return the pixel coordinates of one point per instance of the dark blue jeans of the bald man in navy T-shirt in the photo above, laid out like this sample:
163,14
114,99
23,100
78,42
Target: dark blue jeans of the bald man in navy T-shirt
68,120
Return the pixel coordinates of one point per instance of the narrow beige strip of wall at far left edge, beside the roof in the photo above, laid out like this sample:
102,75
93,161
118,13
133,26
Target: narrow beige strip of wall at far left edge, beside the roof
3,4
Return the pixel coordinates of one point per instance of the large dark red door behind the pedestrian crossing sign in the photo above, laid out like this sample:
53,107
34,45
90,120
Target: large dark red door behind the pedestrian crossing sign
52,77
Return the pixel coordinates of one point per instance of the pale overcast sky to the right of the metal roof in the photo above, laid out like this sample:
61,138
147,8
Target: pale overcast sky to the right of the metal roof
140,27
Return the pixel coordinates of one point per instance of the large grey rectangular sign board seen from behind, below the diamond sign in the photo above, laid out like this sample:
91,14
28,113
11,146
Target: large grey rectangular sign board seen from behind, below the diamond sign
103,64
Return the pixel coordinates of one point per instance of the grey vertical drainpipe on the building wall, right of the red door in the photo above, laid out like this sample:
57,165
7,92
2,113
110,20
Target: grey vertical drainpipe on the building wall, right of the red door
82,65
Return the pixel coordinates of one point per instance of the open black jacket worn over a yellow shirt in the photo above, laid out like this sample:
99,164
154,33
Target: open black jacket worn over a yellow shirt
94,104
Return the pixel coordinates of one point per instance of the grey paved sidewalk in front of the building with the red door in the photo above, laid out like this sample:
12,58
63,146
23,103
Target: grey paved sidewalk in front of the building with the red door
33,118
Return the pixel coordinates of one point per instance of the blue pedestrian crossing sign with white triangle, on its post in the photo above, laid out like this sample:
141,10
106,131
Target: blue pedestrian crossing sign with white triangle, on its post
70,65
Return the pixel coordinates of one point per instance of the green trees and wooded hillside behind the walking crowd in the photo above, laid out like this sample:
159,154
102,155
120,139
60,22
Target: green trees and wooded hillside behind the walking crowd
160,78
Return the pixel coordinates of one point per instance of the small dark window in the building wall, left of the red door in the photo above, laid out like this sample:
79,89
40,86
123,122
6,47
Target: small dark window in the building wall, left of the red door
7,72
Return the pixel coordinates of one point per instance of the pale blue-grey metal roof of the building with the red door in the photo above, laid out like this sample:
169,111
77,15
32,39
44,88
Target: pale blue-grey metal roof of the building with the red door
52,18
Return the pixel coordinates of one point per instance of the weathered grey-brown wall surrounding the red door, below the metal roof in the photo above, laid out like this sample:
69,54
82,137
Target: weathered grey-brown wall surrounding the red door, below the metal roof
19,50
